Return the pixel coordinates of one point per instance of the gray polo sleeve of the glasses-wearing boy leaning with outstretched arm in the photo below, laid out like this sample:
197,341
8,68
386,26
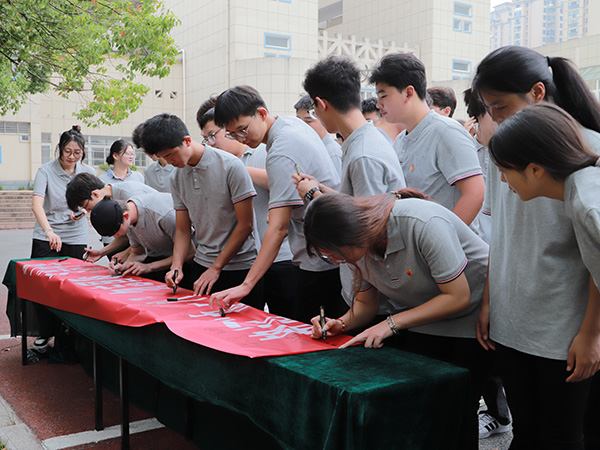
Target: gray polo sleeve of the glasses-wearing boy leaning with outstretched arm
282,190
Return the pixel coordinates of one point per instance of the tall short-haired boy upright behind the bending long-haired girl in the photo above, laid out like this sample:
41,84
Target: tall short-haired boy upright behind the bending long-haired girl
436,153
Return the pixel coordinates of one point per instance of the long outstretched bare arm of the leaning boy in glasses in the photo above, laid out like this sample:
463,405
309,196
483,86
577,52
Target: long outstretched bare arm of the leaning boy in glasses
277,230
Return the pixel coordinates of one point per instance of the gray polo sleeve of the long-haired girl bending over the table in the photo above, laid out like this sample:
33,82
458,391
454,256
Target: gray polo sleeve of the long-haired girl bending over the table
440,247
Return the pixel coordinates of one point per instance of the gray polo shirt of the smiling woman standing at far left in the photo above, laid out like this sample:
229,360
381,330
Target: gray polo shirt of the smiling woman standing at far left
51,184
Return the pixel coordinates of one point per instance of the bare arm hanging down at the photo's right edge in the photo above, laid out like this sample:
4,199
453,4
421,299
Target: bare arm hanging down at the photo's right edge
584,353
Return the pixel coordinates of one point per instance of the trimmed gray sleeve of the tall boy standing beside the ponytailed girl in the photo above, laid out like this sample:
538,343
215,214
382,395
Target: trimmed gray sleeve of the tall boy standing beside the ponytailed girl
456,155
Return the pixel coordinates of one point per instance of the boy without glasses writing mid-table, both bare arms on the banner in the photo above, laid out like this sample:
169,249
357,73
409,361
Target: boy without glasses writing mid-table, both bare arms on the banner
212,191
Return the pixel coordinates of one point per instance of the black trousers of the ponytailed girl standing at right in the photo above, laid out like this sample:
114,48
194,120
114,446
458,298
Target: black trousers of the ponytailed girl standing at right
547,412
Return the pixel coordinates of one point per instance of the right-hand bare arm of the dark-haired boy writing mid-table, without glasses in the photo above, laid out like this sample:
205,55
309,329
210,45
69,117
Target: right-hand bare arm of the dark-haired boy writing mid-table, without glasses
244,214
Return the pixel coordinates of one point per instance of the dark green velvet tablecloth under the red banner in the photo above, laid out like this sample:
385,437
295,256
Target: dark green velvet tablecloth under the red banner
340,399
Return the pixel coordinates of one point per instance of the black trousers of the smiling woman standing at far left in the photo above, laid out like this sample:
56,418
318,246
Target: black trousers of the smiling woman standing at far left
40,321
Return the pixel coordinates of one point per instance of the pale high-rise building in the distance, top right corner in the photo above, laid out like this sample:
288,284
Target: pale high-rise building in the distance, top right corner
533,23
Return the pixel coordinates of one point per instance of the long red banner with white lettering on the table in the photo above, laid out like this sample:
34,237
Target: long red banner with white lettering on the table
88,289
